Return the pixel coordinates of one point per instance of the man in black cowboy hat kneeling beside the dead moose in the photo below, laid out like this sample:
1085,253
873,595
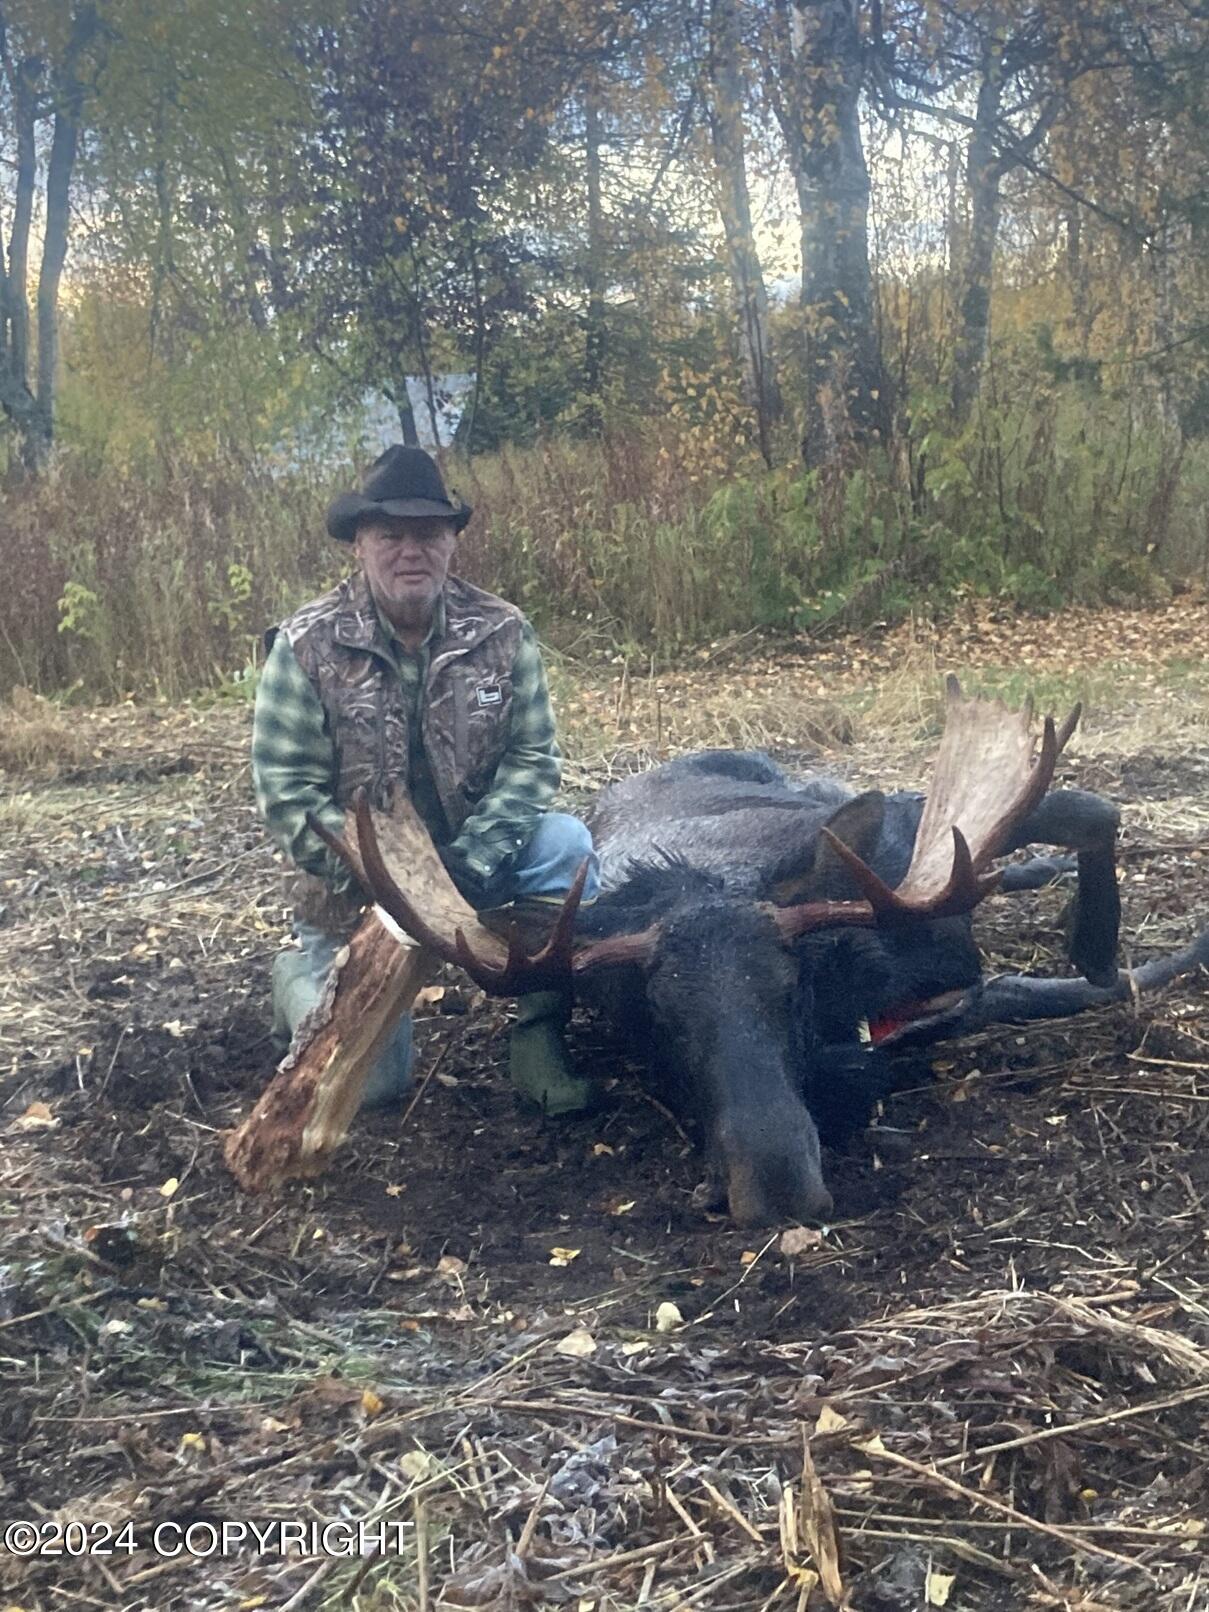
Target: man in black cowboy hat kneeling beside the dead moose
409,678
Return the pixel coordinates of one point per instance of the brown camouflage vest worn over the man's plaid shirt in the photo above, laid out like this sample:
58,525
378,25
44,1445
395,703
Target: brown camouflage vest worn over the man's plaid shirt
465,705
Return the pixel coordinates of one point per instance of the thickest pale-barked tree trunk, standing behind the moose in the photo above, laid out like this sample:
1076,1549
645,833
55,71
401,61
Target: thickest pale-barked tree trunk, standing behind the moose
821,75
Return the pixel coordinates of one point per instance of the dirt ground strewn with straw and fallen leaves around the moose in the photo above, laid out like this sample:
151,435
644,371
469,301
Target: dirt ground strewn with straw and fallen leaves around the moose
983,1387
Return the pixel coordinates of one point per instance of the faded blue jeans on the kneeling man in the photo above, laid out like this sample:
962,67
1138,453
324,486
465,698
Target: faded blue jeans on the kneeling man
542,873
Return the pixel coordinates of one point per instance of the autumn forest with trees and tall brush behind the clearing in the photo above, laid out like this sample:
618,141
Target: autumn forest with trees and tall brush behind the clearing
784,314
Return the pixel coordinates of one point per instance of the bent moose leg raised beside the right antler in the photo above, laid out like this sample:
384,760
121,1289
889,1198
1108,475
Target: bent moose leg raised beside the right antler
1086,825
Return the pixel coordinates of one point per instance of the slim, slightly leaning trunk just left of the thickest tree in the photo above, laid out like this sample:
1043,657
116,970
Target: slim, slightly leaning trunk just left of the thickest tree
734,206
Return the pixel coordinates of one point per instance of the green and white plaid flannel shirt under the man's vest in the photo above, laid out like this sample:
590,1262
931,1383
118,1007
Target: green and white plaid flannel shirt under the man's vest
294,768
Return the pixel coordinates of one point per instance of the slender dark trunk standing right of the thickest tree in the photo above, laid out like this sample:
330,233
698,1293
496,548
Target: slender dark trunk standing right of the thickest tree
976,257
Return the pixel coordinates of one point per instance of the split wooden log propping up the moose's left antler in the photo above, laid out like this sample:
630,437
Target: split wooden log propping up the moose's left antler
304,1113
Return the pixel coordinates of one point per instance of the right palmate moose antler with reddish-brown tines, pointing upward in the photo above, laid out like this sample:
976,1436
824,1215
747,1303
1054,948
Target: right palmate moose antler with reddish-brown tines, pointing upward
984,786
